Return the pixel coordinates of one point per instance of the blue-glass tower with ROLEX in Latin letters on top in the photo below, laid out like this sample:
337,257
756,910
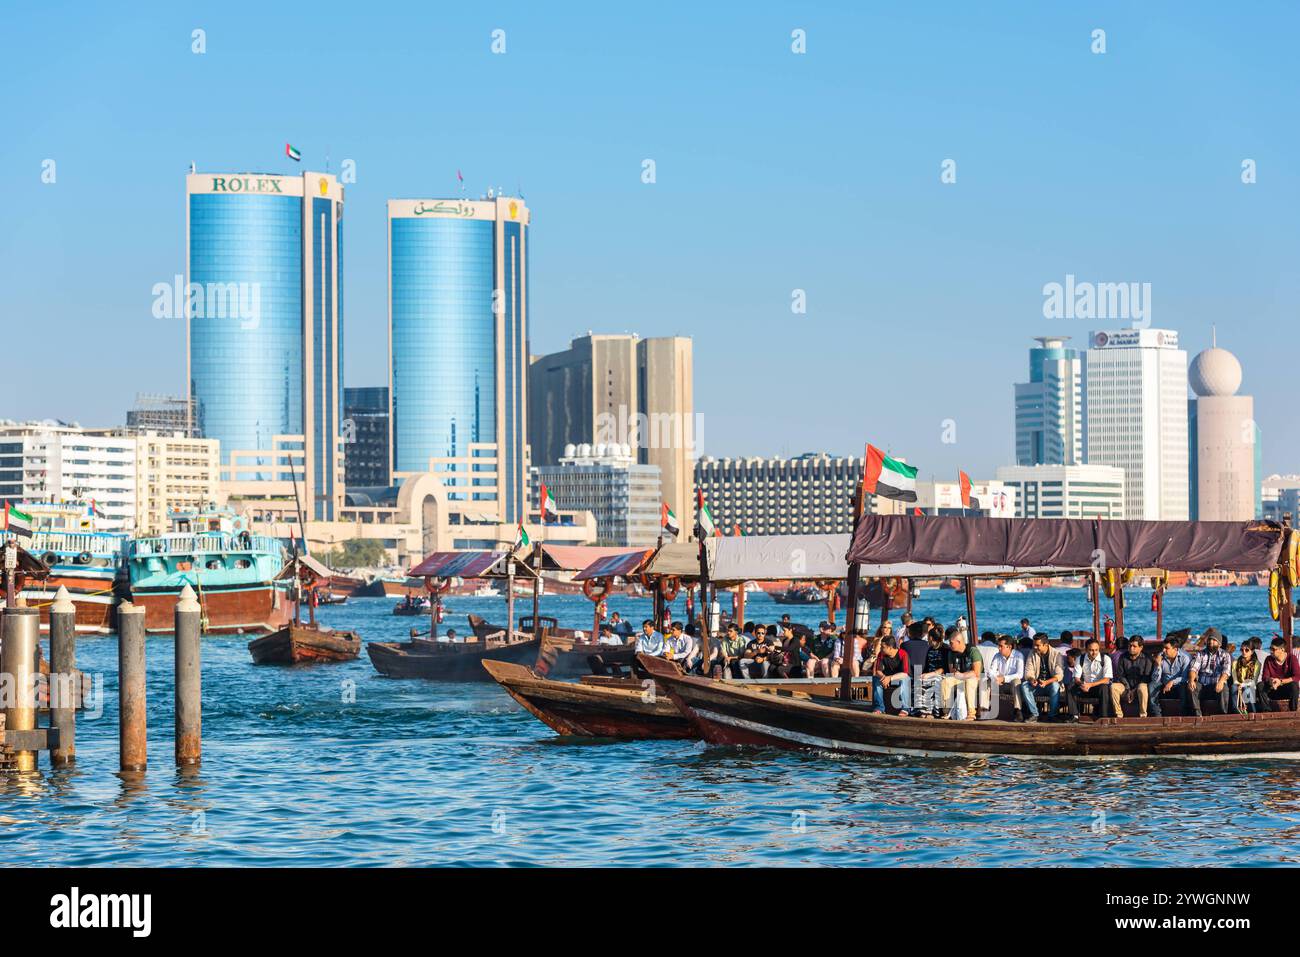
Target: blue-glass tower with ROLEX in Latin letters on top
265,315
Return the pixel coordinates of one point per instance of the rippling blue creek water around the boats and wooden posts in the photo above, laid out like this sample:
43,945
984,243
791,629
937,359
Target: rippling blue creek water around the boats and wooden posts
413,773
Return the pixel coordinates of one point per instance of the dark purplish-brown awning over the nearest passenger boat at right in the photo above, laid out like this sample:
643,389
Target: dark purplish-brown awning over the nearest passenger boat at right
993,547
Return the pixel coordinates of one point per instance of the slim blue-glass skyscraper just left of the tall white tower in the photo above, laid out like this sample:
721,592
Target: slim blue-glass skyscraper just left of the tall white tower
1050,408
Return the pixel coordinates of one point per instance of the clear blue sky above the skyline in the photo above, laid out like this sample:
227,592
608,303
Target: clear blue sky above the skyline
775,172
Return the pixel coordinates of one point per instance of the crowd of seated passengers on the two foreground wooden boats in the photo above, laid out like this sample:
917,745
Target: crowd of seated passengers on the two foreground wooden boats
931,672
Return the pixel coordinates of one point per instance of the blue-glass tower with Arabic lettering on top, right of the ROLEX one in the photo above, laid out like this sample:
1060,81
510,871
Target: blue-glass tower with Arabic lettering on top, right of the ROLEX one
458,348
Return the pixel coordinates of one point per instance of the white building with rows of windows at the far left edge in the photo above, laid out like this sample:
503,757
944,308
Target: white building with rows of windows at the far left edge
60,462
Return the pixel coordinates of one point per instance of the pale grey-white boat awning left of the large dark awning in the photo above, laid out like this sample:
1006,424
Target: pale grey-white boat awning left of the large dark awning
778,558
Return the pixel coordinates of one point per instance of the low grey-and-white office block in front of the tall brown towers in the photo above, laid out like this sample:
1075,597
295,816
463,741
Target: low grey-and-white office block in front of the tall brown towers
623,496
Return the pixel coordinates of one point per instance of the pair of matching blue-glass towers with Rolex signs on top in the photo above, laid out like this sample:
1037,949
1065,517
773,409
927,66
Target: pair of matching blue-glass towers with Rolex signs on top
265,318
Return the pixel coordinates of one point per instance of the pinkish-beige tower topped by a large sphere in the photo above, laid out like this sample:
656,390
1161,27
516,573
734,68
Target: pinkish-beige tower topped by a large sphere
1223,447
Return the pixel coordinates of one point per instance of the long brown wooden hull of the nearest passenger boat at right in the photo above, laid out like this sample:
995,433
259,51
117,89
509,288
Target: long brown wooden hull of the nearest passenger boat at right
729,714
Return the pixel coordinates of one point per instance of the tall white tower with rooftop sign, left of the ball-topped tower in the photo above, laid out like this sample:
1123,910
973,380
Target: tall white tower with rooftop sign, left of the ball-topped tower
1136,418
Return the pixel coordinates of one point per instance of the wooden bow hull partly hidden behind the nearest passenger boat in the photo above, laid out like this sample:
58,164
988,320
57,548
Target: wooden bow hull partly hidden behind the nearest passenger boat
625,712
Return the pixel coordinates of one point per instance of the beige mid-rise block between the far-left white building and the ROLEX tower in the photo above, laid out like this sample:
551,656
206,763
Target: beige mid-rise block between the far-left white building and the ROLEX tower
174,473
